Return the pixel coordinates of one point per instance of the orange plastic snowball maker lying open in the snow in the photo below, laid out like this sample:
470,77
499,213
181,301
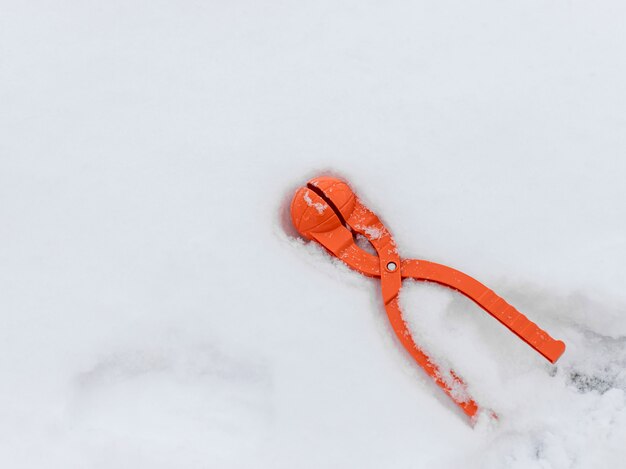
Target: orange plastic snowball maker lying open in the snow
328,212
